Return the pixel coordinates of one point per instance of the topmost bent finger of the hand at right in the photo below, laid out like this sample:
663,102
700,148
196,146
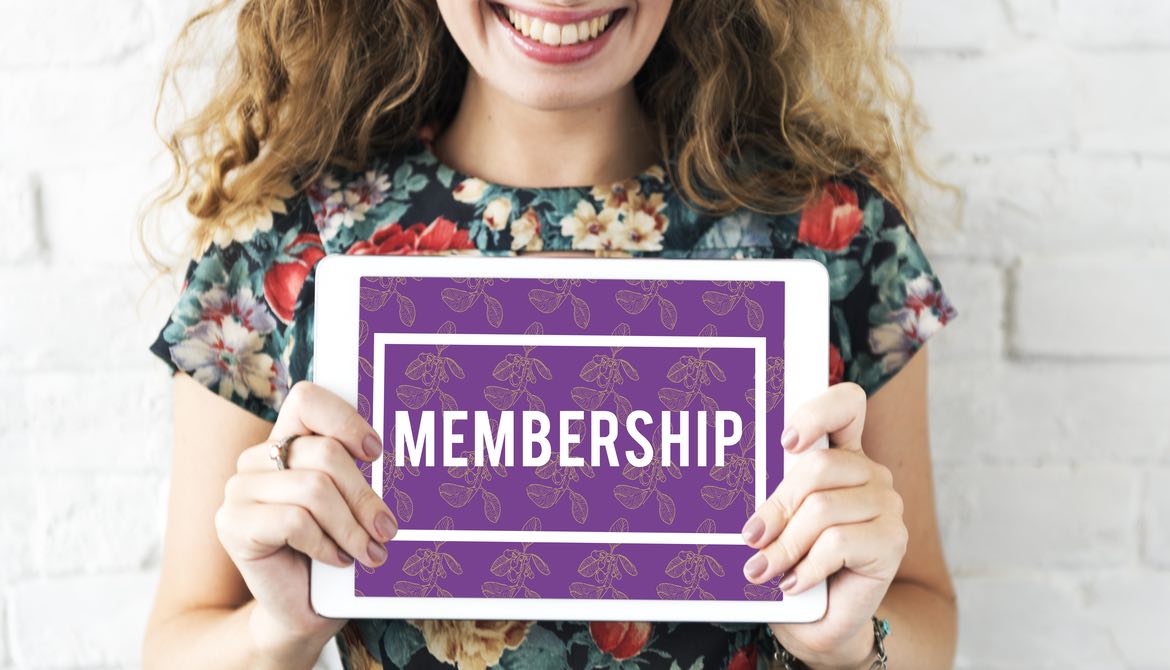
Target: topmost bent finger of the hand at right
839,412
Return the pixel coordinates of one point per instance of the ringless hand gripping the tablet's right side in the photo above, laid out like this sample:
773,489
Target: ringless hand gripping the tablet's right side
835,516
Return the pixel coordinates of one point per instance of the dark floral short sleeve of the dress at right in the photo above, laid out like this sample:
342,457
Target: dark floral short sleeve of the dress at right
885,299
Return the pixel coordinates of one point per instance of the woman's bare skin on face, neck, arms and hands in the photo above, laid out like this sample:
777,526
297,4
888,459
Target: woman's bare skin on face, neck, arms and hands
235,589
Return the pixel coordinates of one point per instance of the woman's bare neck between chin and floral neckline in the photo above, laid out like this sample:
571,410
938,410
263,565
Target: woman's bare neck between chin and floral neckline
610,141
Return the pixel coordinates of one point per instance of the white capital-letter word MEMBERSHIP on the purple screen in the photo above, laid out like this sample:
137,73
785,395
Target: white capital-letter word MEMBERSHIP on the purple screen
679,433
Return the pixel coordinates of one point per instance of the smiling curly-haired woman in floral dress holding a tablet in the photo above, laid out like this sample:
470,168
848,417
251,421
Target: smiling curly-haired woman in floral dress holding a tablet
689,129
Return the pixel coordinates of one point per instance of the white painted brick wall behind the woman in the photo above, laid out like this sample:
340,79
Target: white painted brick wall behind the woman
1049,396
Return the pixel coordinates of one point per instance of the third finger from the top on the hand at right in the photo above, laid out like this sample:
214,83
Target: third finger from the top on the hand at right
818,513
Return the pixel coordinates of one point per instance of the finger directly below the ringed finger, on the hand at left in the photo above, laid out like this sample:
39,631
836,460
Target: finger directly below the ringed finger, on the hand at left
316,493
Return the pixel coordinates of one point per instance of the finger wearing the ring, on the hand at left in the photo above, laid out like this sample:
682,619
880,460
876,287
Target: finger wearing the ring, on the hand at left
331,457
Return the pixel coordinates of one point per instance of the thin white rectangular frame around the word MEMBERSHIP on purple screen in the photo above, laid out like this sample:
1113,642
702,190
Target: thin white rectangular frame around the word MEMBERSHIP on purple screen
377,419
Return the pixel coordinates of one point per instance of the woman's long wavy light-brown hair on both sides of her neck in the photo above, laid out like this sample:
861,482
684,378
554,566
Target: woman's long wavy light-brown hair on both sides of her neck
760,103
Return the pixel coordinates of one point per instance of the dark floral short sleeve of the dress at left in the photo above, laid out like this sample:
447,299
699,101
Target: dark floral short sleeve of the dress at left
243,326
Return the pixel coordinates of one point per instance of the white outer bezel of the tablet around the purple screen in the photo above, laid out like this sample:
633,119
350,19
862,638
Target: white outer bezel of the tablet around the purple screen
806,370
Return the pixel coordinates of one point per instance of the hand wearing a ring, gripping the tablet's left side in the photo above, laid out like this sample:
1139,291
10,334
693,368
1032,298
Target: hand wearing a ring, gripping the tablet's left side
273,521
